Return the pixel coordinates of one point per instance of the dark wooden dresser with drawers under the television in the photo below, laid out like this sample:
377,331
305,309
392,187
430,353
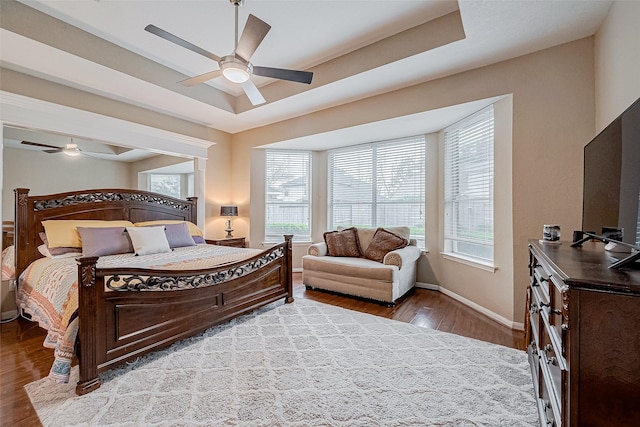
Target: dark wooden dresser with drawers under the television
583,334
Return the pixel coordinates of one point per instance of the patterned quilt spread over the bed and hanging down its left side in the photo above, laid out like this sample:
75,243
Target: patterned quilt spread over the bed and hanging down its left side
48,290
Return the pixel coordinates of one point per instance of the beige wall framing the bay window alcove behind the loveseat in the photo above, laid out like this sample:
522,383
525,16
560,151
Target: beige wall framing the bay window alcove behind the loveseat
553,116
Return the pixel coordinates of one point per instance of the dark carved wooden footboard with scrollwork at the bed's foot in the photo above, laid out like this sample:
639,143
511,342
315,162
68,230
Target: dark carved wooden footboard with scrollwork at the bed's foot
125,314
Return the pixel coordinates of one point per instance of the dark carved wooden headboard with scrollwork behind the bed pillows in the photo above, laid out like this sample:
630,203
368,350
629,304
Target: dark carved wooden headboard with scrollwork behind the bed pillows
104,204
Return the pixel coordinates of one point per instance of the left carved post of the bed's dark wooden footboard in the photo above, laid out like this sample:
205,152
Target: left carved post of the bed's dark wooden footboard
88,298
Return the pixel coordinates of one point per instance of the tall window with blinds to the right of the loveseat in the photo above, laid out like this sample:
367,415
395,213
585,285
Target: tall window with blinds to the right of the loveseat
468,187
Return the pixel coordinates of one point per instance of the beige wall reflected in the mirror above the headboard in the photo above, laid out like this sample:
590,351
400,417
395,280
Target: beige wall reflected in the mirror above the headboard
46,173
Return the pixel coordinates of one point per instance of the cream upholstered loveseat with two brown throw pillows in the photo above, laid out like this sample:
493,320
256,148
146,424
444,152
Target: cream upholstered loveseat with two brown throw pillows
378,264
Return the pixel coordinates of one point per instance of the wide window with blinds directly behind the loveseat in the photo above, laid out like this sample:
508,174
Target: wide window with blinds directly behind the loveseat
379,185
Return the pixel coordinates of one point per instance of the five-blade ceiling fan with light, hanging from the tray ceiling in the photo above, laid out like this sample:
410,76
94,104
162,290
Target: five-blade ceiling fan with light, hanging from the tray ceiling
236,67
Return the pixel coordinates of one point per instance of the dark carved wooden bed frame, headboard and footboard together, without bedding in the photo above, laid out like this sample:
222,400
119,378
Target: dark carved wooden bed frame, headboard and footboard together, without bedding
124,314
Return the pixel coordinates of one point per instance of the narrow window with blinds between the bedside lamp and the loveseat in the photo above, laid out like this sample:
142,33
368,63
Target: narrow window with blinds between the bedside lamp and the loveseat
288,187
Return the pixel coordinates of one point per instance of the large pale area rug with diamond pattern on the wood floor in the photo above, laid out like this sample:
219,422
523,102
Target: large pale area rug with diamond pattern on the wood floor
306,364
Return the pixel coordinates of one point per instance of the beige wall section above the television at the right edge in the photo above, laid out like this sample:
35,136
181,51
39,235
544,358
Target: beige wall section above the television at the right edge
617,54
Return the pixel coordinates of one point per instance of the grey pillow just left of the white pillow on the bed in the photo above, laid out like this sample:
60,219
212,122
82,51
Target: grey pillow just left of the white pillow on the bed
102,241
